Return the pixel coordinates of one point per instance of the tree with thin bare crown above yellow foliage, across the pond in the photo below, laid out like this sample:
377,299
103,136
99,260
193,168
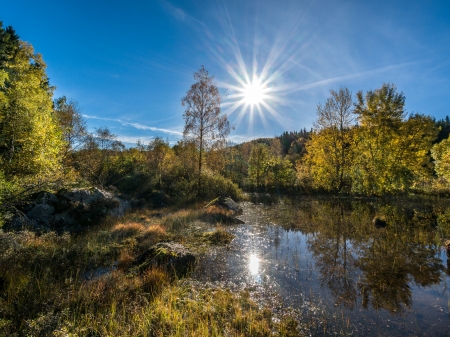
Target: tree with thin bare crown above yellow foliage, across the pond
329,148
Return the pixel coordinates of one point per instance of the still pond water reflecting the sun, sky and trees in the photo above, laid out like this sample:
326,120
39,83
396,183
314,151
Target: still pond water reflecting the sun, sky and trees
326,258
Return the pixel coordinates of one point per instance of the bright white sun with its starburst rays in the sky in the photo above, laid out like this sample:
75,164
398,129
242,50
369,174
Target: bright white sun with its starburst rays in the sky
256,87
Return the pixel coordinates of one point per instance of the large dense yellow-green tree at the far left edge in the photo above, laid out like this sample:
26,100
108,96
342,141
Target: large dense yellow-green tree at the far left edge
30,138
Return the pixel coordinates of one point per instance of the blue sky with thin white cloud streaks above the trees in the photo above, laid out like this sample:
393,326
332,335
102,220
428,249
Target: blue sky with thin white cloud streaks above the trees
129,63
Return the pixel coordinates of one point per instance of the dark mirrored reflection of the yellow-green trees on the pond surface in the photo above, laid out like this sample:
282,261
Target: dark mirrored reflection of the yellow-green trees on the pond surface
357,259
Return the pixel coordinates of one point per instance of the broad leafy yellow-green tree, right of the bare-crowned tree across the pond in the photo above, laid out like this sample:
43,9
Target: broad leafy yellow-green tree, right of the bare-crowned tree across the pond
391,150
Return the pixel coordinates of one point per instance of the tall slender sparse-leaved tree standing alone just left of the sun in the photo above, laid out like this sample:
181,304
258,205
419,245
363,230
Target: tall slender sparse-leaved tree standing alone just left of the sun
204,125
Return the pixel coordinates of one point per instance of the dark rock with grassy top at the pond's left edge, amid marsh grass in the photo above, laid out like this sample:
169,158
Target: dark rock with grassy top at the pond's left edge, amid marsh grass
173,257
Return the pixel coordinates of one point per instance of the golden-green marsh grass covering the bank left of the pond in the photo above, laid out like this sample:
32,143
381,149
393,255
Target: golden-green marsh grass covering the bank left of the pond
78,285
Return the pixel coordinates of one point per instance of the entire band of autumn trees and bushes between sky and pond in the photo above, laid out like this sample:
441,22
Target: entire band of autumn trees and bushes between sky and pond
368,145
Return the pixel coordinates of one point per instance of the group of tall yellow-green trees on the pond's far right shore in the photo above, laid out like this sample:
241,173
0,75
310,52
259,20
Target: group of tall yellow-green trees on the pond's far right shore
372,146
